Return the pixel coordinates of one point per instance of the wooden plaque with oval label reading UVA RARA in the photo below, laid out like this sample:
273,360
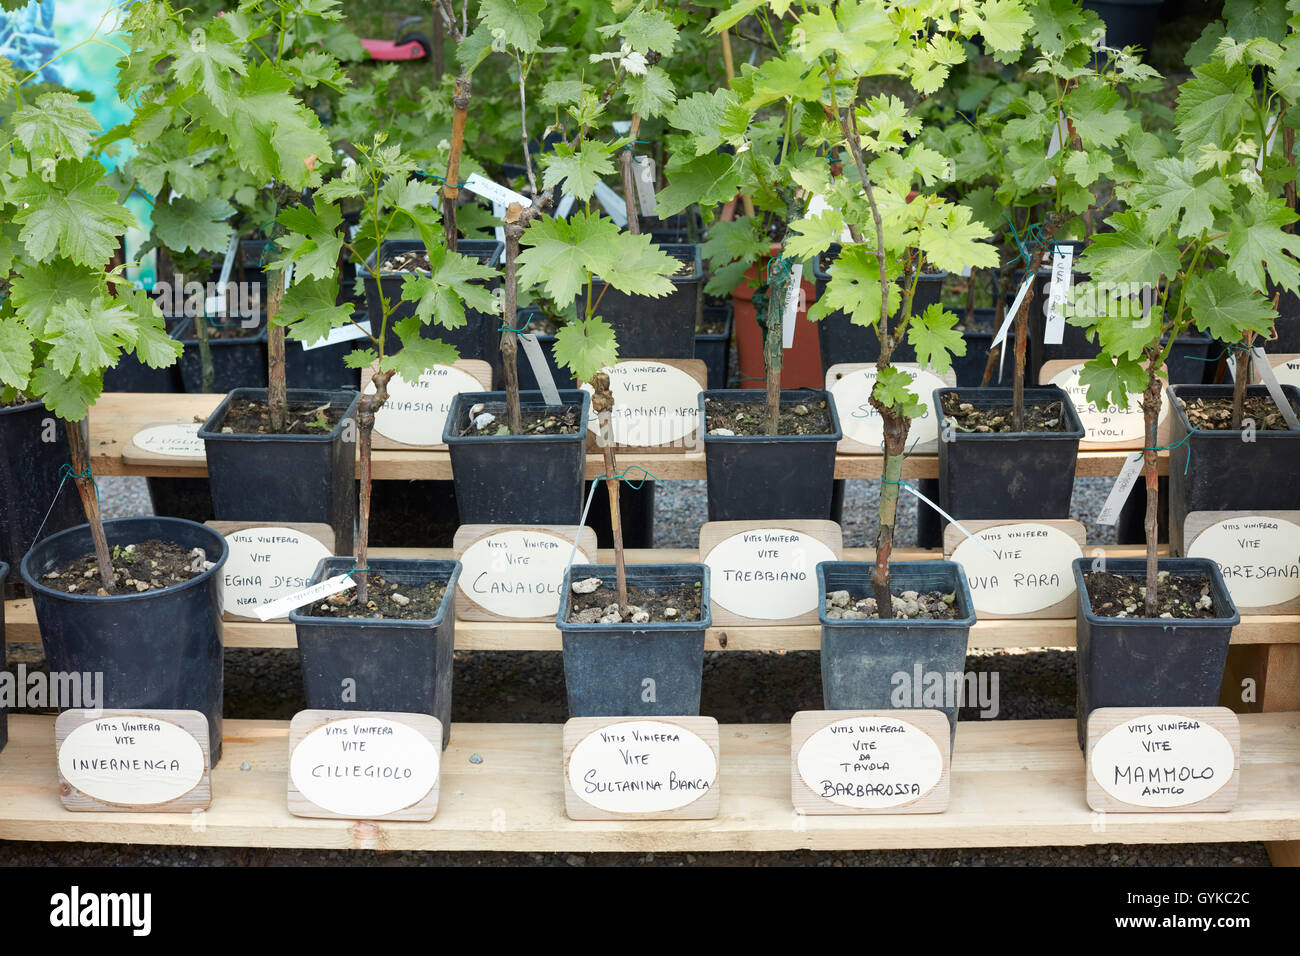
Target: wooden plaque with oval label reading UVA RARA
1025,573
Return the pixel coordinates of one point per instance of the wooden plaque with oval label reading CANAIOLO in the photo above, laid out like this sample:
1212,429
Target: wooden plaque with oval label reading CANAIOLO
515,572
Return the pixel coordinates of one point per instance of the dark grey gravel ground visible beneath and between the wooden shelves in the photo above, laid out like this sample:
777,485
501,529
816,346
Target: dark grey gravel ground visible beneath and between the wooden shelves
740,687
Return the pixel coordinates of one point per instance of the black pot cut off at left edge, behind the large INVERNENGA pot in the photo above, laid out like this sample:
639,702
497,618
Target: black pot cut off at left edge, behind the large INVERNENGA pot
31,479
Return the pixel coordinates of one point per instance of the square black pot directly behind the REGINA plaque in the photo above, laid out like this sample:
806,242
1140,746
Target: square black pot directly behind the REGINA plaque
287,478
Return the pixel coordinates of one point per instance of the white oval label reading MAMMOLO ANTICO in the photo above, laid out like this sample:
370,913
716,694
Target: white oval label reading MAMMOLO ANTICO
1163,760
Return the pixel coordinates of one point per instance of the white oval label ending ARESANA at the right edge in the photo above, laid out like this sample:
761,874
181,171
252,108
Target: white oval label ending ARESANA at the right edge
1259,556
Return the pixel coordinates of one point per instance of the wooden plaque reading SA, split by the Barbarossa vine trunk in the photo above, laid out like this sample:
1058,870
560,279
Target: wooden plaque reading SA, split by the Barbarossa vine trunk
852,383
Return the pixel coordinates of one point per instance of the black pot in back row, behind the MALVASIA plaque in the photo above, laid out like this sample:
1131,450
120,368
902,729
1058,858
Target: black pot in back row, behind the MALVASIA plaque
478,339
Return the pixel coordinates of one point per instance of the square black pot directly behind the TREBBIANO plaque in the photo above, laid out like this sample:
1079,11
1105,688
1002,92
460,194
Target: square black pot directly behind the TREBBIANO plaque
770,475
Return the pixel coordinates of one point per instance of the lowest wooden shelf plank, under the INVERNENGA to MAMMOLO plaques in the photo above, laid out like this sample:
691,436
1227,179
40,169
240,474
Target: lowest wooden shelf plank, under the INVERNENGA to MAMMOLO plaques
1015,784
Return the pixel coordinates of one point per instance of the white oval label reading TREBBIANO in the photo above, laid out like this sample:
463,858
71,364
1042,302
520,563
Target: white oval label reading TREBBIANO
768,574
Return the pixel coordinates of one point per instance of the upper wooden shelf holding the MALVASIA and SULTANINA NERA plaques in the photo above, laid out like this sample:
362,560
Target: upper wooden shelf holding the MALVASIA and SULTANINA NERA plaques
119,416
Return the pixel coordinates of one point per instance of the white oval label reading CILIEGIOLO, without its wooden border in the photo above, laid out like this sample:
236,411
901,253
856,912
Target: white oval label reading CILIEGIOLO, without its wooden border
365,767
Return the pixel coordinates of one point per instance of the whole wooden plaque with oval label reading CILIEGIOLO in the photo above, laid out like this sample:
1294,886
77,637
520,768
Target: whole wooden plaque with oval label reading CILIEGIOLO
359,765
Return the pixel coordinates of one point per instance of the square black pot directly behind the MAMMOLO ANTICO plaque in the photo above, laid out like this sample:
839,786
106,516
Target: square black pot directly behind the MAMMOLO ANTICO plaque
1151,663
